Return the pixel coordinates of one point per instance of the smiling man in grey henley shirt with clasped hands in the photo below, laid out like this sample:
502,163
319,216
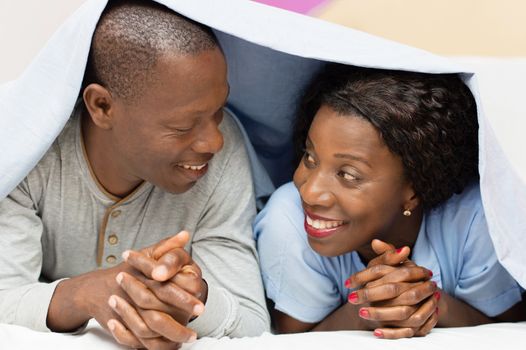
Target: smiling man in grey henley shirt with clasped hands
148,152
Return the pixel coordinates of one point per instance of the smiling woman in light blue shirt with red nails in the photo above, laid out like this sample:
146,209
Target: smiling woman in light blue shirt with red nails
387,157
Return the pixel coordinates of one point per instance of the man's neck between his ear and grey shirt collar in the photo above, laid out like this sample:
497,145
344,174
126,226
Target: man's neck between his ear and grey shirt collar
104,165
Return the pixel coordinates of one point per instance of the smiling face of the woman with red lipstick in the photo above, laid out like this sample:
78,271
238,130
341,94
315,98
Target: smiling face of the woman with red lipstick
352,187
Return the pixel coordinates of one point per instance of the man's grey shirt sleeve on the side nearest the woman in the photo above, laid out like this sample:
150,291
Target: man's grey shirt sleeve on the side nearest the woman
224,248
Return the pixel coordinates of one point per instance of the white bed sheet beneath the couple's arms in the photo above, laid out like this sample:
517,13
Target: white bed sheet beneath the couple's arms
491,337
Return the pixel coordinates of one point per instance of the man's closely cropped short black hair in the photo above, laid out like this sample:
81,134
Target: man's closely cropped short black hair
131,36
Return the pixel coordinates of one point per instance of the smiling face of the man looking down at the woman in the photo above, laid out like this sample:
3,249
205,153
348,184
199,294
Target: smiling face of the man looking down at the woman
168,135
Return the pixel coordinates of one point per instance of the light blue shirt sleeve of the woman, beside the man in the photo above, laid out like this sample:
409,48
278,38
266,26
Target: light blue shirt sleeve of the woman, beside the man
295,277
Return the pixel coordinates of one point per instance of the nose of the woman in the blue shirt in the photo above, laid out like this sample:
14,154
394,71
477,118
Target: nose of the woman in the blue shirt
316,191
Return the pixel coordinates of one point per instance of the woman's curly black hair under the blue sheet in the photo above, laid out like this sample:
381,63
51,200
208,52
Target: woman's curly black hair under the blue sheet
428,120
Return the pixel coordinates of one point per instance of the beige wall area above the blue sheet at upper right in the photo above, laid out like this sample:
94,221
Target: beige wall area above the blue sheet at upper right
447,27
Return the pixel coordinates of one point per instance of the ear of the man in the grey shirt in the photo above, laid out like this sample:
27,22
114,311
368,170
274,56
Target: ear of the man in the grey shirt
100,105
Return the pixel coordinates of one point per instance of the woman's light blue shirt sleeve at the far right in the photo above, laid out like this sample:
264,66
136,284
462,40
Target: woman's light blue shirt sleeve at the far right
483,281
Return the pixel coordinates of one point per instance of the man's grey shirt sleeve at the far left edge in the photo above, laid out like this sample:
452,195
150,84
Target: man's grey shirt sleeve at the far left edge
23,300
